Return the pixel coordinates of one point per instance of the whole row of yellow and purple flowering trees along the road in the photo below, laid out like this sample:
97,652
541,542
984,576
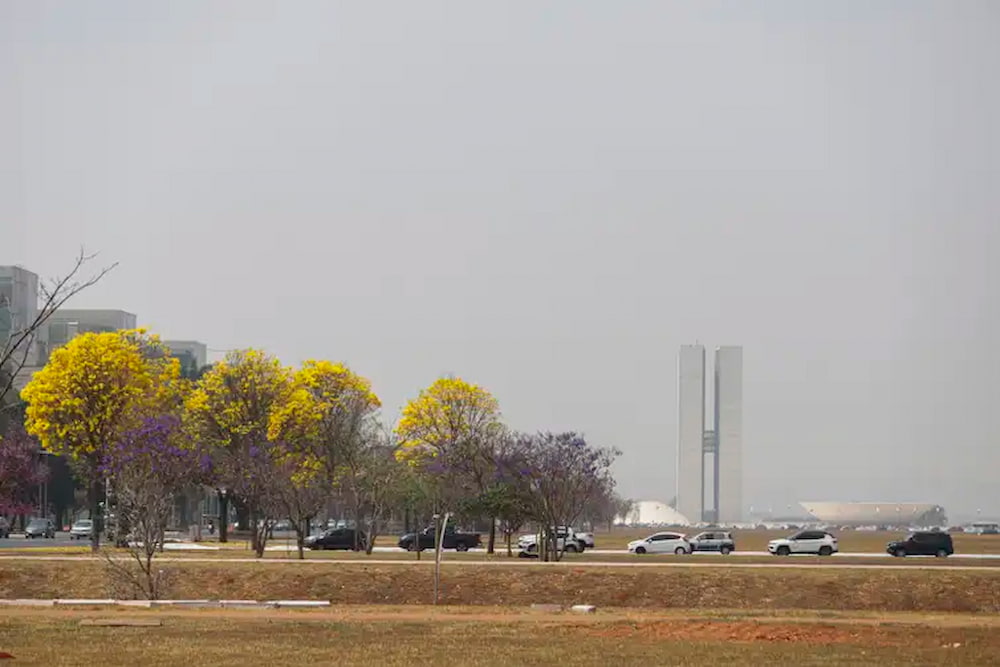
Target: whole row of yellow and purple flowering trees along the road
280,442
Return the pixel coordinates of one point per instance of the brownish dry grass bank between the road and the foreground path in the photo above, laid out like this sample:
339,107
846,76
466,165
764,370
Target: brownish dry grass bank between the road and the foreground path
896,589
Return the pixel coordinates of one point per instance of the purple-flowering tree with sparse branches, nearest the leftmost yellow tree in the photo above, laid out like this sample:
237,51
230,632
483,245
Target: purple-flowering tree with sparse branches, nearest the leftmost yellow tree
147,469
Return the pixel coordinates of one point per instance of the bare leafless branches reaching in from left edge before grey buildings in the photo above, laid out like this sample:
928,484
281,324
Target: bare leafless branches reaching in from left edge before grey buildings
53,294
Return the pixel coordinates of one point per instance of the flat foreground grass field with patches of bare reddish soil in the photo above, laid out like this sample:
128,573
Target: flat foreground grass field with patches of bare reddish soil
494,636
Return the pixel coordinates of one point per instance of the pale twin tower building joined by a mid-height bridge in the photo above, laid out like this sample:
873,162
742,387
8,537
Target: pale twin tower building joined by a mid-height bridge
710,458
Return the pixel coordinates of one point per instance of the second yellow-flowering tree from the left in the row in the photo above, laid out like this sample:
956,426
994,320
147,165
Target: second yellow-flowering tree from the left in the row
229,412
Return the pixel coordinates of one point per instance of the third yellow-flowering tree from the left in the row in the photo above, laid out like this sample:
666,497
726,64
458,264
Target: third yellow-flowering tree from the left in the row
326,423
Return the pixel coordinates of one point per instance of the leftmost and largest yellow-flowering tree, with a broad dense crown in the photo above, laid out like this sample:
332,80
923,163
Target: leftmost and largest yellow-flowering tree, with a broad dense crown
93,390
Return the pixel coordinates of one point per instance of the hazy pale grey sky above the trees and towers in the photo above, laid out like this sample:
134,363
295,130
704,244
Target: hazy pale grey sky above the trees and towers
549,198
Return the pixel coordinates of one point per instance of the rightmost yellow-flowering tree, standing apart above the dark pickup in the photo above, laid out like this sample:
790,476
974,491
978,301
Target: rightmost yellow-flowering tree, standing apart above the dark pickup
450,433
